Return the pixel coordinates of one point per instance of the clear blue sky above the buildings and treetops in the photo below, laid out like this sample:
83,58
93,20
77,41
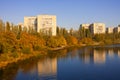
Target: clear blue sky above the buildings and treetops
70,13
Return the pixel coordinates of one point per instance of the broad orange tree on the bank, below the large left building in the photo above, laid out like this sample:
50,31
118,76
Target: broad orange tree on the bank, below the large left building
30,42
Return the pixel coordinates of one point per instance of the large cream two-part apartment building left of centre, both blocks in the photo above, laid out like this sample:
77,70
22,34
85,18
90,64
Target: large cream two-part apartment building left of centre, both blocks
44,23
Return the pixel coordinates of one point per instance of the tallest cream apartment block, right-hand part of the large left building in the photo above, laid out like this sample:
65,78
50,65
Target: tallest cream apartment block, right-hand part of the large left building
46,23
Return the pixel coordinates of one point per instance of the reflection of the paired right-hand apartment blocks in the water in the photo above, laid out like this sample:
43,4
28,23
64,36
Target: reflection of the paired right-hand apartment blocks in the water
91,55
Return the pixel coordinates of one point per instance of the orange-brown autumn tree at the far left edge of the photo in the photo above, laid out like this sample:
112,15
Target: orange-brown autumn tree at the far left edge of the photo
8,43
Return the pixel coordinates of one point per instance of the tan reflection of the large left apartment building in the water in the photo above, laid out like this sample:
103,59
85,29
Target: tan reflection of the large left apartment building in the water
47,69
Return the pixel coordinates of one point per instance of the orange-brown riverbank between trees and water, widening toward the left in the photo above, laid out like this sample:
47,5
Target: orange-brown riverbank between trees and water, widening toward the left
8,60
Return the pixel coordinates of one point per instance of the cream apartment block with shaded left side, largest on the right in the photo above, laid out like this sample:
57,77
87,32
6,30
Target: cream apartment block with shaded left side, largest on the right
97,28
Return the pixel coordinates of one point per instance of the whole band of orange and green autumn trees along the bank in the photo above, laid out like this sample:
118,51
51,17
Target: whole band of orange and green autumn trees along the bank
15,40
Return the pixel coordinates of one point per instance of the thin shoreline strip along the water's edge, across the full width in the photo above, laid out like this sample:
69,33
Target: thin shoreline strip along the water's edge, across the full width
43,52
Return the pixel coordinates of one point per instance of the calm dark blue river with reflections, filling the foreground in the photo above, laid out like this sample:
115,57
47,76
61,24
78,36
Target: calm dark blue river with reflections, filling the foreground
86,63
